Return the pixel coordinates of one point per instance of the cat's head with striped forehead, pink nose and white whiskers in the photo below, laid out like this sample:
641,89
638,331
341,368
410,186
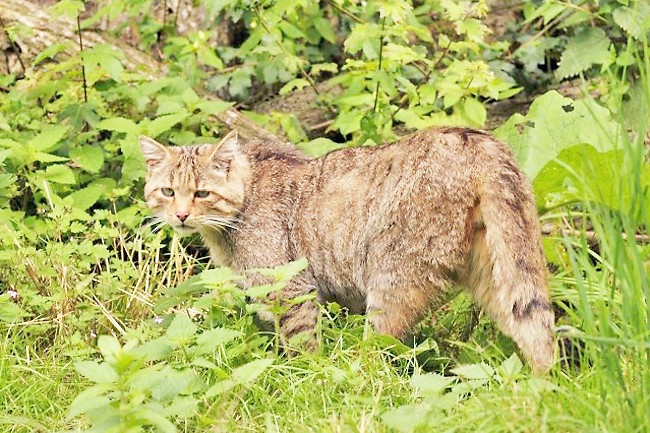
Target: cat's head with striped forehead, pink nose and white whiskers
195,188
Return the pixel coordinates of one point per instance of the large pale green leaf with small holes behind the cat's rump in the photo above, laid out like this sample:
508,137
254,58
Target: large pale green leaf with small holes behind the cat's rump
554,123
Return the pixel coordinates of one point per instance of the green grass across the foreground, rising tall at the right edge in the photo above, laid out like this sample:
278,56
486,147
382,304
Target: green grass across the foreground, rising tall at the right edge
362,382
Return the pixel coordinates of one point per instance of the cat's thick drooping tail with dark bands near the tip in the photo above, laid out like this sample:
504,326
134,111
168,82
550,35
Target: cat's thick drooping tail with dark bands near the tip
508,268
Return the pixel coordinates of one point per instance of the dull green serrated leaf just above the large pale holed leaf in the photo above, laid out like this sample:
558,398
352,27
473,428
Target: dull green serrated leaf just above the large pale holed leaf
588,47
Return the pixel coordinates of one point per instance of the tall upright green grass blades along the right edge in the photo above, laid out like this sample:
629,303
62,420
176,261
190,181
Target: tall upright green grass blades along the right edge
613,286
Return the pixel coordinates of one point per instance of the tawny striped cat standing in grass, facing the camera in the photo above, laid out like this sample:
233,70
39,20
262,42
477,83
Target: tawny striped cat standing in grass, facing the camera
388,230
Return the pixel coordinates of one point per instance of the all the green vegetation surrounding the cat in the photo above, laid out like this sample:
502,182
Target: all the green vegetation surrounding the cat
107,324
